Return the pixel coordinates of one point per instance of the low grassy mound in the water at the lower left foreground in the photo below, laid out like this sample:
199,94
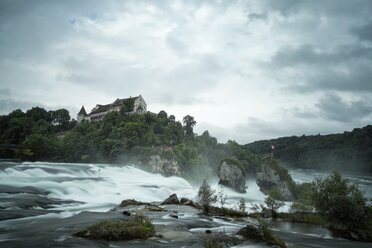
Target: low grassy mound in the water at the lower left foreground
139,227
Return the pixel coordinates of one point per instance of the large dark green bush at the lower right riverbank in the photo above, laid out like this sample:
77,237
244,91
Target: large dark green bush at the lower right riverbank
341,204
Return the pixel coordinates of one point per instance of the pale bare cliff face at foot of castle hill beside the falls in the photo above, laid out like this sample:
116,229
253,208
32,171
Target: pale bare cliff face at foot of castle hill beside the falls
166,167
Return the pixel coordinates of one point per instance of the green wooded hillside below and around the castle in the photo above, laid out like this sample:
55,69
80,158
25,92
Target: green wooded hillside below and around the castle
53,136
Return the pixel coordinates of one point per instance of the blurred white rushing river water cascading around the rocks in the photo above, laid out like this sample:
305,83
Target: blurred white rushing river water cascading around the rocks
41,202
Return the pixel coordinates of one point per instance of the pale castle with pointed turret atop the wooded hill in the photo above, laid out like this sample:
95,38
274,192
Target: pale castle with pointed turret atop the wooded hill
100,111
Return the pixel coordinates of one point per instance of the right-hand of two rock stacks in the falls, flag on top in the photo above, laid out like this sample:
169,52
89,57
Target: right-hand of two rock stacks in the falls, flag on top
268,178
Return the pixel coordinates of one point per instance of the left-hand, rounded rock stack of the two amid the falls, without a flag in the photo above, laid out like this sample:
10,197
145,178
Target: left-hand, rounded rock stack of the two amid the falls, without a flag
232,176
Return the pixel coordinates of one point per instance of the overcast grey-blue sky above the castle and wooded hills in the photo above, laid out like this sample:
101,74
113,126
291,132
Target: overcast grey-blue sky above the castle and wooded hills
245,70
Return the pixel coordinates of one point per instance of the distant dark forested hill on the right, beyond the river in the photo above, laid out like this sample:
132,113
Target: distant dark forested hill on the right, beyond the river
348,151
